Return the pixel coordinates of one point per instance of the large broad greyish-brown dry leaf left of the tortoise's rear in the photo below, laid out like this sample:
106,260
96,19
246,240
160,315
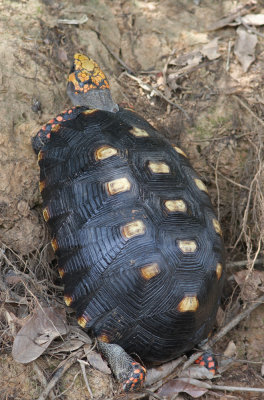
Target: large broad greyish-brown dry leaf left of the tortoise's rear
35,336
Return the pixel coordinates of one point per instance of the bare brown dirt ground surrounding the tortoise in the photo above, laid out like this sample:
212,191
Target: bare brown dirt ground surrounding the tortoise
185,72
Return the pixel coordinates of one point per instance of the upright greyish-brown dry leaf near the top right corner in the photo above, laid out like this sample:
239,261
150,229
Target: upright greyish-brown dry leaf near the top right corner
245,48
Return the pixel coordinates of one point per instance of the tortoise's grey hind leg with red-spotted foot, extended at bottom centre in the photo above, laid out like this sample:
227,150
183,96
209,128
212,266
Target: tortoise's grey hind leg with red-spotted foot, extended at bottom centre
127,371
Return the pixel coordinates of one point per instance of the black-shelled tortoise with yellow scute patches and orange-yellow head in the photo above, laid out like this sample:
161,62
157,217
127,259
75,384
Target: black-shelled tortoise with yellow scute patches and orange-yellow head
139,248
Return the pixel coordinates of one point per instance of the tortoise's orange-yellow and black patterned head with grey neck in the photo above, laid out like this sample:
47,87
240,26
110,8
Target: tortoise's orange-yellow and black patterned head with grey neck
88,86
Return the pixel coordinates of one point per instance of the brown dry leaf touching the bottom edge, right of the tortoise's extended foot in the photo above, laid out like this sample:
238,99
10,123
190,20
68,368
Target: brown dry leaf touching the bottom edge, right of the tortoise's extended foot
181,385
